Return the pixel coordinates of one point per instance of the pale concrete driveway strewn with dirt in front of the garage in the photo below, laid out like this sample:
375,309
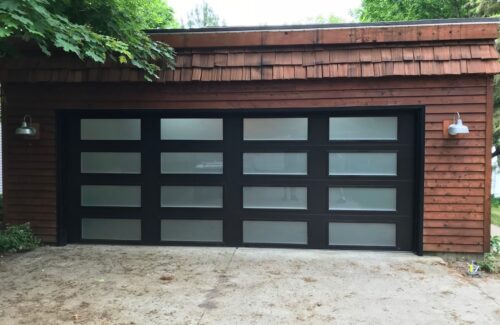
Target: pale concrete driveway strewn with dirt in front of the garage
86,284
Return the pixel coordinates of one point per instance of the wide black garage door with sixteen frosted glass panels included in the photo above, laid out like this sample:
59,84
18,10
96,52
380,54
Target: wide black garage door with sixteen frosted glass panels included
321,179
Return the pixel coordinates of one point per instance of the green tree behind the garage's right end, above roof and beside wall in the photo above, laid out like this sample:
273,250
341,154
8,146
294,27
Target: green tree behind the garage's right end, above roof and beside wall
391,10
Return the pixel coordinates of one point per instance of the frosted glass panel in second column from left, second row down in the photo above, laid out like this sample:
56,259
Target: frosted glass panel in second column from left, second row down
191,163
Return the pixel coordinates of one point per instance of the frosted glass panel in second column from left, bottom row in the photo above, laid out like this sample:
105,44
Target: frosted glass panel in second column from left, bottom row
191,230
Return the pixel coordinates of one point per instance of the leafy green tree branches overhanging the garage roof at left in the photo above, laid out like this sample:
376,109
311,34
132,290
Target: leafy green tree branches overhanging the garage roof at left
96,30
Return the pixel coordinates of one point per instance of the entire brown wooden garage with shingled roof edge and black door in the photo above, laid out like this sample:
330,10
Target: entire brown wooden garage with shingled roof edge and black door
318,136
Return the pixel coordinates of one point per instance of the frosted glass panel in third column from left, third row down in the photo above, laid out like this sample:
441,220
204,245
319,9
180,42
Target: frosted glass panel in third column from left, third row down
256,197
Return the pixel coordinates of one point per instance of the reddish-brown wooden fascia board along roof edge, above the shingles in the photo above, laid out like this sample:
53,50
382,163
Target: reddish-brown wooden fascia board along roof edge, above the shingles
419,31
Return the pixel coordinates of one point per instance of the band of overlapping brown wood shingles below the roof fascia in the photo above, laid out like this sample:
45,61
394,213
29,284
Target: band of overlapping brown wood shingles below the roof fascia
277,64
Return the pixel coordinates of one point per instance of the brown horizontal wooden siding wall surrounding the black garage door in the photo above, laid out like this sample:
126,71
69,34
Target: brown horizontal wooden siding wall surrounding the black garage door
457,171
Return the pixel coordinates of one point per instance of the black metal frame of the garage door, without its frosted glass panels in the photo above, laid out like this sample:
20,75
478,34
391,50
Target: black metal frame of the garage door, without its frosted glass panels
317,179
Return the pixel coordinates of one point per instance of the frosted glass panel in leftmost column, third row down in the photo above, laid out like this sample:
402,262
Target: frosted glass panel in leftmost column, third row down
110,196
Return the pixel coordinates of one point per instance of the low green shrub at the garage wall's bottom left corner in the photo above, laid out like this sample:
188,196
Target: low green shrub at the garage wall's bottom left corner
18,238
